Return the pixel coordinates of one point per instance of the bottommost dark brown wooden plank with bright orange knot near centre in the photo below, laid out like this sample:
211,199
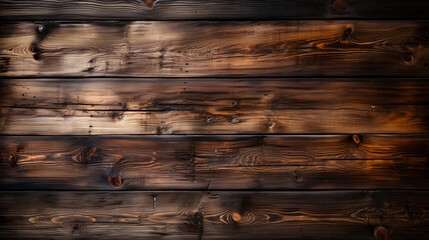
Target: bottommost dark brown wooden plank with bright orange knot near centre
356,215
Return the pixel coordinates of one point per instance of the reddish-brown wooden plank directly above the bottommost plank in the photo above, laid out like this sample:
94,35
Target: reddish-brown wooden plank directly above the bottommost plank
215,162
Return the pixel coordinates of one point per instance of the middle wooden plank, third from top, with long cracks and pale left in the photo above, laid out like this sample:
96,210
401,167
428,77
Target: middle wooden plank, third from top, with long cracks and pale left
213,106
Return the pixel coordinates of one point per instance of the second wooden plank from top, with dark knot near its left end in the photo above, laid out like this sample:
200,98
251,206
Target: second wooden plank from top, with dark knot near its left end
221,48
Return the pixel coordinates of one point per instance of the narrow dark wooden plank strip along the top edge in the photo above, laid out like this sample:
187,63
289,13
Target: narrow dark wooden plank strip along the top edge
207,9
